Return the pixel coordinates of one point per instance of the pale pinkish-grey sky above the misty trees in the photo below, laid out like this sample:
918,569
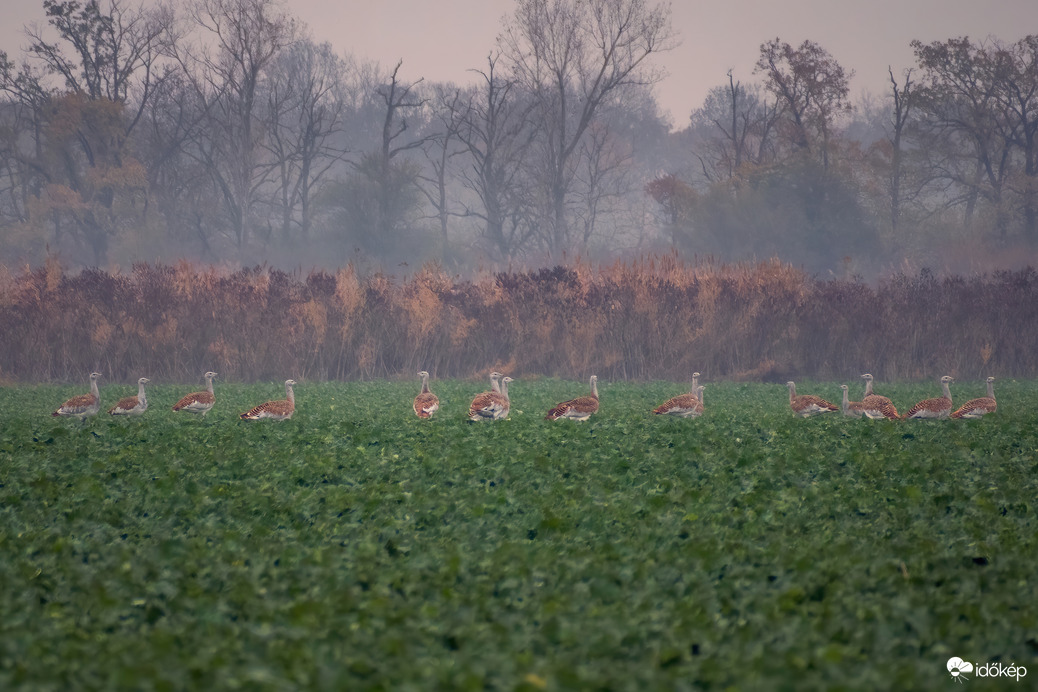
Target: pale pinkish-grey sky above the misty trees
442,40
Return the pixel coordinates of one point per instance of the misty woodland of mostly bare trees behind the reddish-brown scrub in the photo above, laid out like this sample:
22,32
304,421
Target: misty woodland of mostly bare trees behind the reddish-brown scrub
218,132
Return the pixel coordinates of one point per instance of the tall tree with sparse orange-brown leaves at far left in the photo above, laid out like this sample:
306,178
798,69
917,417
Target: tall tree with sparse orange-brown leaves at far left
83,179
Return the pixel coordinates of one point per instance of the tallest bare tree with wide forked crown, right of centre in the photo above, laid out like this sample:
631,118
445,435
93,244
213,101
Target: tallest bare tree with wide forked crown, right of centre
575,57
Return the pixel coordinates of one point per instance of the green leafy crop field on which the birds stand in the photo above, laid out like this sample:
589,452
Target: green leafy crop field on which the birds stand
357,547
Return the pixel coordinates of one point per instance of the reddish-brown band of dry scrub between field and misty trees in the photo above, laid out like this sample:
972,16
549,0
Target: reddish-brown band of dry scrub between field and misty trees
652,319
